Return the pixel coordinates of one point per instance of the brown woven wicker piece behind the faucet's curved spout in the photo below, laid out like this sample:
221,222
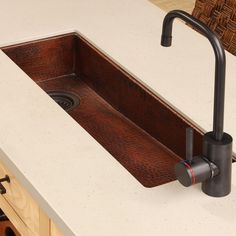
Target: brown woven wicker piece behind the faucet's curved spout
220,16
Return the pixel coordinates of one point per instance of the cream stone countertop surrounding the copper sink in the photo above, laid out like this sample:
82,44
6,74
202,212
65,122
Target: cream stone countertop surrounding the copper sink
78,183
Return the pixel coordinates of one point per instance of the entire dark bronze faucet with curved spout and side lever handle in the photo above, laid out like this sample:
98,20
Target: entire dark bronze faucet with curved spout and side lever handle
213,167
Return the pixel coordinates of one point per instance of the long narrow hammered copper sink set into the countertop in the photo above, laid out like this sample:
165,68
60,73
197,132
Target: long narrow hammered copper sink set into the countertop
134,125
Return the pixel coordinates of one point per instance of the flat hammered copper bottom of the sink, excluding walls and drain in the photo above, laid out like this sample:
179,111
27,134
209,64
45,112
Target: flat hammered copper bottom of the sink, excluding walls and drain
142,155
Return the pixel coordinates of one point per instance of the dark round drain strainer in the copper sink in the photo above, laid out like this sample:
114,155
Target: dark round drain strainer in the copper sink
64,99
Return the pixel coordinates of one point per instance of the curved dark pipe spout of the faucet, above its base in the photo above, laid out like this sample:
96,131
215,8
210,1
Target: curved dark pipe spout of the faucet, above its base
219,90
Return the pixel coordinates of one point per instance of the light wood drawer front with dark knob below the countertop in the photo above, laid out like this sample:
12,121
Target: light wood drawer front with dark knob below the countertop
22,203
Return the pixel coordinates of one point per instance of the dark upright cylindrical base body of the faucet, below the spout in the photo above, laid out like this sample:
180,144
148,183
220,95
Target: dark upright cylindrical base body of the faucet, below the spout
219,153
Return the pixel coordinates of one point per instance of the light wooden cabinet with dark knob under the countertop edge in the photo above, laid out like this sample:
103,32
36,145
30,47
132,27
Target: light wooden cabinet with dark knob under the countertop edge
23,211
